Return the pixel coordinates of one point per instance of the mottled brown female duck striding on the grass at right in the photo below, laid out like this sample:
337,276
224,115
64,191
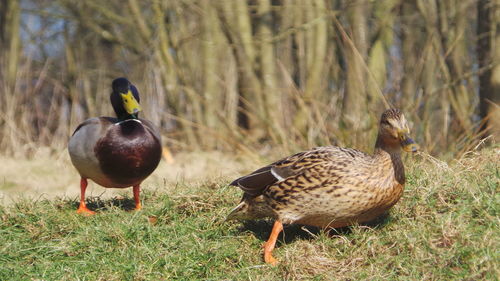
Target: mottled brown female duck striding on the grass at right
329,187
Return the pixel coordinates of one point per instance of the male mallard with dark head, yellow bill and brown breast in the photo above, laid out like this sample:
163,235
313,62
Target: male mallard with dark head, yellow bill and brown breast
116,152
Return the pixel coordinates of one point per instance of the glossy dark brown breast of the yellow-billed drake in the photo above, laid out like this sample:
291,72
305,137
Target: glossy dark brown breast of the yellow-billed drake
128,153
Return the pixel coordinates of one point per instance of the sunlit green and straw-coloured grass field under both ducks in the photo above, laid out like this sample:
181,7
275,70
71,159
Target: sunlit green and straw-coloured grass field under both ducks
446,227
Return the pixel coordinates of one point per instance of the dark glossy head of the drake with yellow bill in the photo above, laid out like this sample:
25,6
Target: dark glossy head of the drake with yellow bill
125,99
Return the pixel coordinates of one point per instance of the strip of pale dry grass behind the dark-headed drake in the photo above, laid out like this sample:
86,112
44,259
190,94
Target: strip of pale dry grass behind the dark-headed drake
46,176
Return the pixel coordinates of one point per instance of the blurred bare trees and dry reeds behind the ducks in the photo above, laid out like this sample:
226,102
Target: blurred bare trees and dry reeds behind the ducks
253,75
